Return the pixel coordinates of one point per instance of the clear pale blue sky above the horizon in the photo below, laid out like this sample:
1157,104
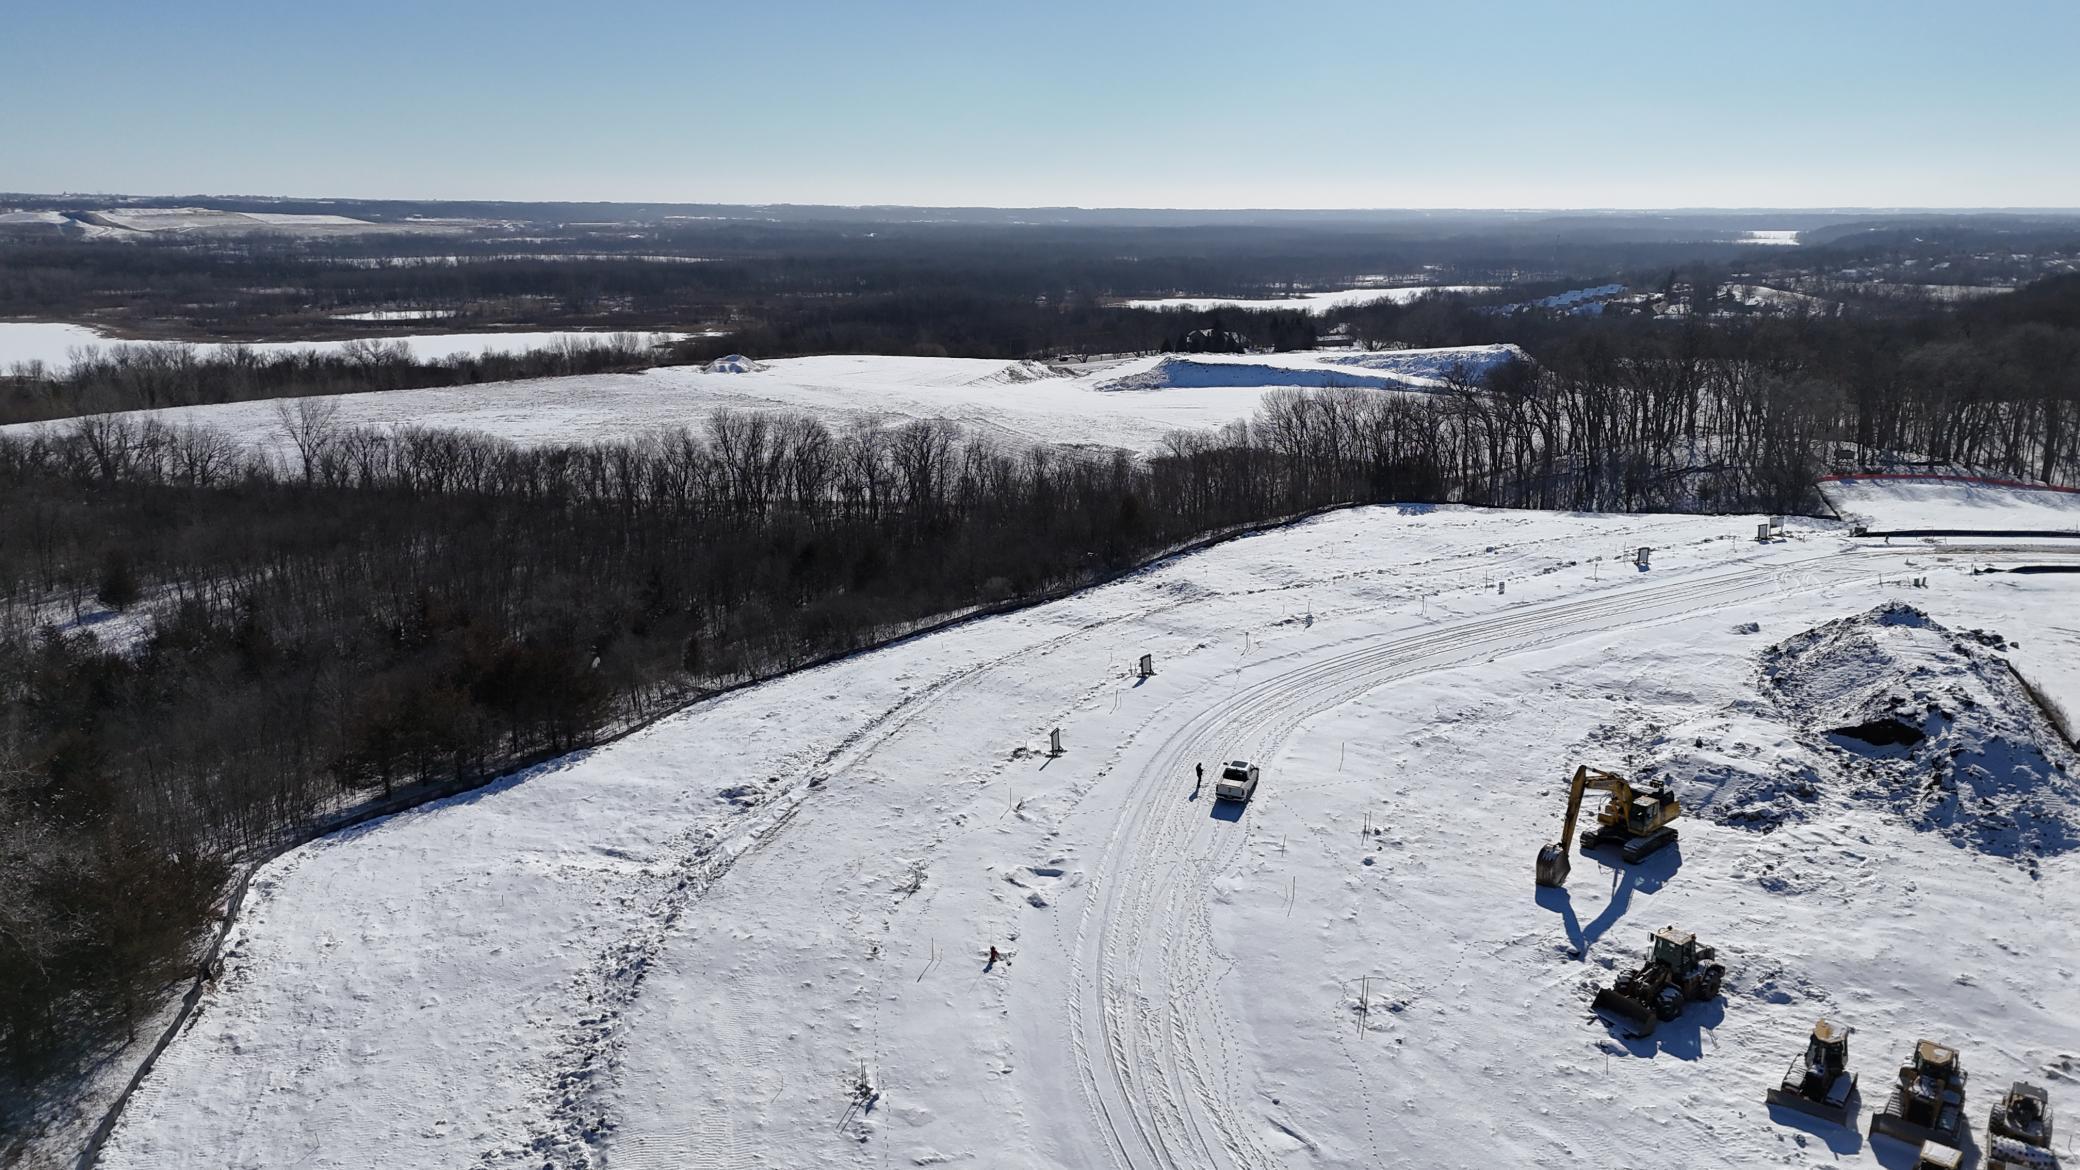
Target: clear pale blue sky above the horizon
1056,103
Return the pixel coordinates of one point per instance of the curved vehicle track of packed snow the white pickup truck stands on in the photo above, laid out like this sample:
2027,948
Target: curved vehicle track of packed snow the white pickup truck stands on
1153,1011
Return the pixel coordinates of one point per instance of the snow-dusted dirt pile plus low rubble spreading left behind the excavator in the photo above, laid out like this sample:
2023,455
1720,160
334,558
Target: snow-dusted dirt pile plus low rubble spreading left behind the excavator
1881,709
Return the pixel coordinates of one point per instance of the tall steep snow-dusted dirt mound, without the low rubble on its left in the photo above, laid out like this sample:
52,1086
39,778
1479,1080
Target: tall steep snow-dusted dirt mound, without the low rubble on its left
1931,723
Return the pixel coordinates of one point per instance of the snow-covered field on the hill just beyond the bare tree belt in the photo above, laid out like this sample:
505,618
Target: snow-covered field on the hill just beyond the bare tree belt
1120,405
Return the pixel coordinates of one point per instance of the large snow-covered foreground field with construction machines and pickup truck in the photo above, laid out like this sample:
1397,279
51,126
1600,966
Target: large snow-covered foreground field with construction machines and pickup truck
756,934
